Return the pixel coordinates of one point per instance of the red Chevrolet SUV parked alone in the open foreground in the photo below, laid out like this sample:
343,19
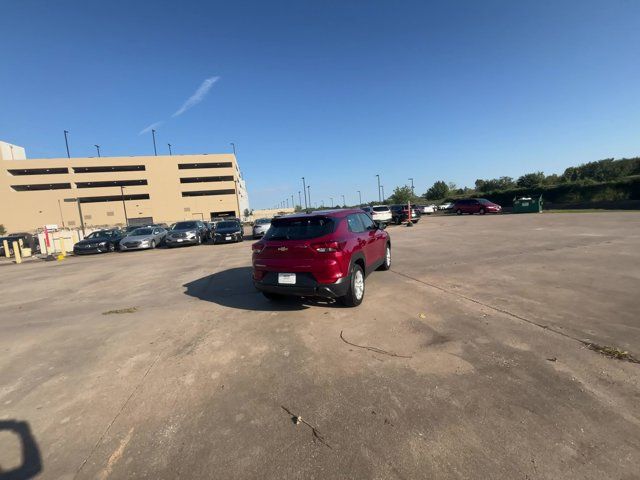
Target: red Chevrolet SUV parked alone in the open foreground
321,254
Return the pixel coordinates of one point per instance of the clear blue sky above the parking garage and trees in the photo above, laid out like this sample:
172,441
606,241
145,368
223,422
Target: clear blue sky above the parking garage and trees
336,91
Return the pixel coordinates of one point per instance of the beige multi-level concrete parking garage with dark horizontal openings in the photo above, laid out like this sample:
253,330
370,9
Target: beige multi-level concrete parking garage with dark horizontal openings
38,192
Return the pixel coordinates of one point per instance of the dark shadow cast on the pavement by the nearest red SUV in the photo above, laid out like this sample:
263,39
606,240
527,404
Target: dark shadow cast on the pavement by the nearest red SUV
234,288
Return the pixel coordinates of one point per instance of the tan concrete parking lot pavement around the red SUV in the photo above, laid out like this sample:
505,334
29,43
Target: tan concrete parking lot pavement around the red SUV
468,359
